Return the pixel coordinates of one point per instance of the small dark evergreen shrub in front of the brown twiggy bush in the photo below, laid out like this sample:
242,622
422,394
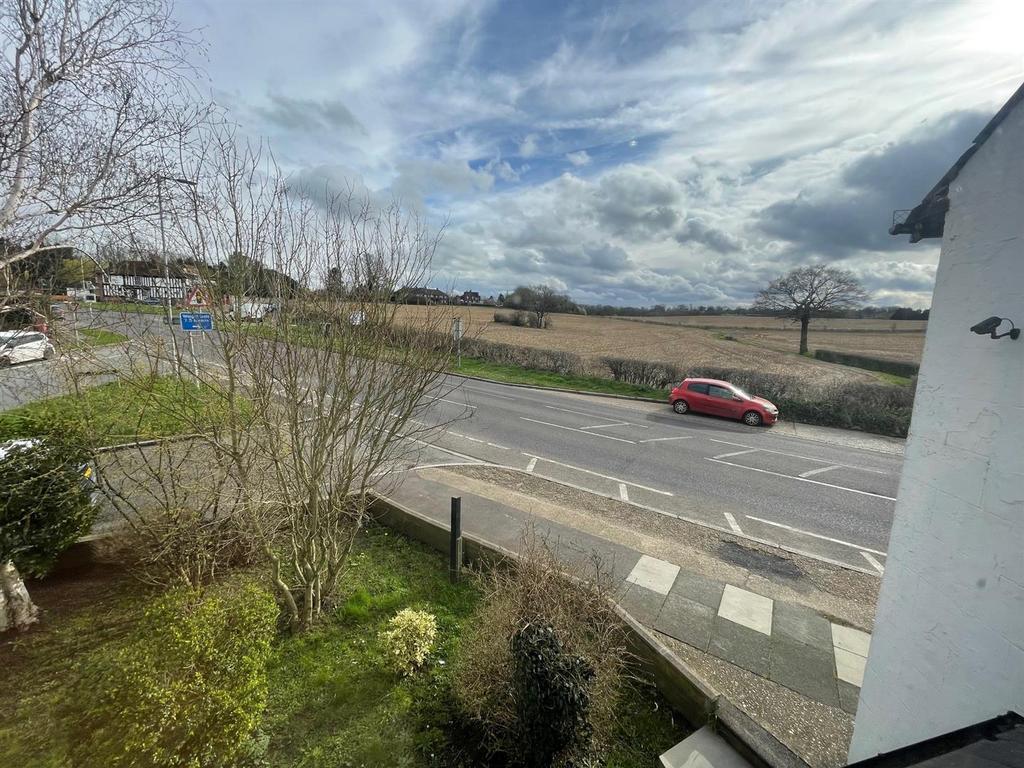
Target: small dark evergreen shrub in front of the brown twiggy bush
552,695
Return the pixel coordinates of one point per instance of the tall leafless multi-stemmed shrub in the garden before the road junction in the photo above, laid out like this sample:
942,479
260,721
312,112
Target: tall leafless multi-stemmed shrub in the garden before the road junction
319,405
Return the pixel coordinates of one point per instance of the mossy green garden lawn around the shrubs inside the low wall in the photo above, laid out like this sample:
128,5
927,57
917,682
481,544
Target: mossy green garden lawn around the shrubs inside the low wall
332,702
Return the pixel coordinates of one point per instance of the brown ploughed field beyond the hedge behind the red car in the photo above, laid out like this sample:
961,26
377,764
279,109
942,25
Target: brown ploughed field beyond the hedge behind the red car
772,350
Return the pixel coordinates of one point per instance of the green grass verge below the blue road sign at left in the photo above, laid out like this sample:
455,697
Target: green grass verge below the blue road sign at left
161,408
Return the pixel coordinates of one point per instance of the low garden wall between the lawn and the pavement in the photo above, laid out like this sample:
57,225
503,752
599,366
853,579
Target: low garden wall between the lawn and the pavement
685,690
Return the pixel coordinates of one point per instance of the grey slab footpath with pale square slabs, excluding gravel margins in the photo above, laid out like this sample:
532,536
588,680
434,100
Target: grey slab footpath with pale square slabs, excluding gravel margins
784,643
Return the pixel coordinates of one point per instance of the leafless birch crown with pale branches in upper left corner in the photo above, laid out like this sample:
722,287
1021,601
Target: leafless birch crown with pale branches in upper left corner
96,103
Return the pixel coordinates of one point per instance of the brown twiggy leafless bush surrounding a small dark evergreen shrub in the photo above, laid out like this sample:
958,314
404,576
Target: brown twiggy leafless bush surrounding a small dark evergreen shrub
574,602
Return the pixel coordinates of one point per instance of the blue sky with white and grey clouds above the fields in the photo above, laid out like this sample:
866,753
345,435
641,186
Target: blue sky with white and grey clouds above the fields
627,153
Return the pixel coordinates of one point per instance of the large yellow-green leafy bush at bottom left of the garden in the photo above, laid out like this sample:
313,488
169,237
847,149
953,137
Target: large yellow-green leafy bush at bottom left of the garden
188,688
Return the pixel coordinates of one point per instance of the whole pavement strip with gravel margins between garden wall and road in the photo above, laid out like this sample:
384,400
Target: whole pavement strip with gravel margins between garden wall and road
785,645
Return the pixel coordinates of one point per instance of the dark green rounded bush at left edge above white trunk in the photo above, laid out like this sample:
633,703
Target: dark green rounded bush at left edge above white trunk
46,501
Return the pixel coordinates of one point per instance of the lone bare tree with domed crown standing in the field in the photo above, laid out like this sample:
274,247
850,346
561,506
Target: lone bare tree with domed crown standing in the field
808,291
